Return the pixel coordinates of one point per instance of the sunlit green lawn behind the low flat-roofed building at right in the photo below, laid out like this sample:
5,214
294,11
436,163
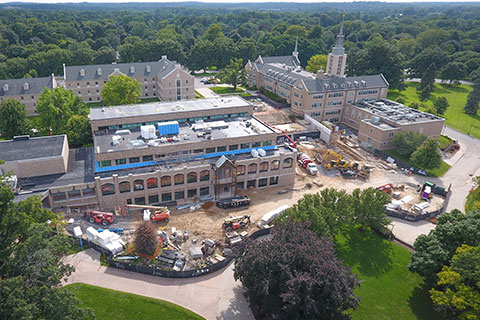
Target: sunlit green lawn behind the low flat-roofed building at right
457,98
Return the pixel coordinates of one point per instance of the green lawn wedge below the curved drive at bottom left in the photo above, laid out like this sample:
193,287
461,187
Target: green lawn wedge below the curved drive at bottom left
111,304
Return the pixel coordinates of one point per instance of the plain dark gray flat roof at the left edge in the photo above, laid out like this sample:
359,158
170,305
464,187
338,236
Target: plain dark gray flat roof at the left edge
31,148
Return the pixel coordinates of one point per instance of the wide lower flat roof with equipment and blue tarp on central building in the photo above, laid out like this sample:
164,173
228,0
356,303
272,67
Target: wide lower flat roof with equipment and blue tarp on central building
188,134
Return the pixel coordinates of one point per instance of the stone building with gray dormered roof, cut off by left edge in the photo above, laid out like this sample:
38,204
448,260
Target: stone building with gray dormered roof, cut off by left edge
26,90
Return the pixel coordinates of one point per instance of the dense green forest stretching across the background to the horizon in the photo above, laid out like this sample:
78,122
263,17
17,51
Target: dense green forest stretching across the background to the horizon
37,42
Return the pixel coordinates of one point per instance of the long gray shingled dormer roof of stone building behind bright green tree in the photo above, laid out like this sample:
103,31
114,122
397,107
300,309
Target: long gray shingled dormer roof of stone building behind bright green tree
157,68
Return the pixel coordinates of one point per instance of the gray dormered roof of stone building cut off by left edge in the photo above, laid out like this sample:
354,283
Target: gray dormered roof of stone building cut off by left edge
16,86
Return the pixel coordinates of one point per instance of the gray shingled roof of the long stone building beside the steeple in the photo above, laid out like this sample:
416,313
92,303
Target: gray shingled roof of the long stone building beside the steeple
290,76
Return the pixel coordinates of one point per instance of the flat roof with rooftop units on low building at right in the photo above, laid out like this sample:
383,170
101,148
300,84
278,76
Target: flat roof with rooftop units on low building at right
396,112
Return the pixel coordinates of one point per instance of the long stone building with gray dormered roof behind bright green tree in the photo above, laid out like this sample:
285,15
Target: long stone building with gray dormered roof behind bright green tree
164,79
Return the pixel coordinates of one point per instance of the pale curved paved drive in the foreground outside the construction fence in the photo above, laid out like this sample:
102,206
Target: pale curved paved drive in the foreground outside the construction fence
216,296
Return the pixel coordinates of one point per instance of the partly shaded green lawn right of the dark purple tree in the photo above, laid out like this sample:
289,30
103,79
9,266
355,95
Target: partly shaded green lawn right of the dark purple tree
388,289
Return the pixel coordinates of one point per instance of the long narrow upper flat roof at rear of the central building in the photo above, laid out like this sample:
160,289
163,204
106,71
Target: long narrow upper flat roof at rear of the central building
155,108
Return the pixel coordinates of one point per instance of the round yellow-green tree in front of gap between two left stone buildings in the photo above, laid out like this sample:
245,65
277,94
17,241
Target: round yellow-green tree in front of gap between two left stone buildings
56,106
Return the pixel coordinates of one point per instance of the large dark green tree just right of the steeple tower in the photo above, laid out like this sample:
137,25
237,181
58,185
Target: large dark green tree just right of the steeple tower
380,56
